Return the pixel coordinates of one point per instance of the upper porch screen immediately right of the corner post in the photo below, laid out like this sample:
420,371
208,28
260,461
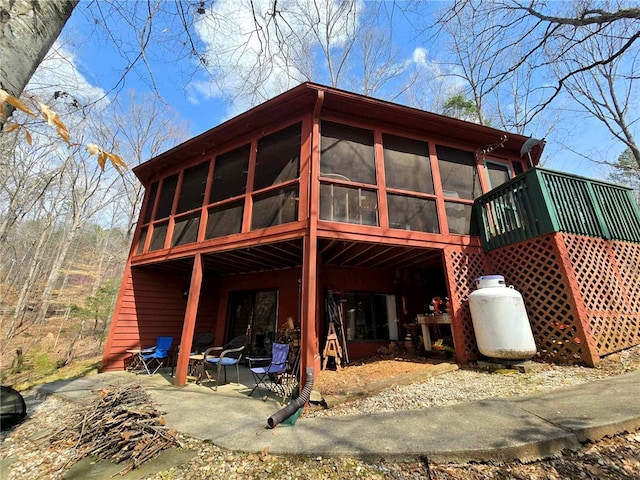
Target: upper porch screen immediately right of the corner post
347,153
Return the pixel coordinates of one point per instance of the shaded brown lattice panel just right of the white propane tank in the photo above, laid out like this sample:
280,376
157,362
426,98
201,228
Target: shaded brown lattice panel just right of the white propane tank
534,268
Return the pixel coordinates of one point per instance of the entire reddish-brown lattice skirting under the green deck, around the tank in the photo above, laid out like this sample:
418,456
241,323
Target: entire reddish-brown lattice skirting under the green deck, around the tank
582,294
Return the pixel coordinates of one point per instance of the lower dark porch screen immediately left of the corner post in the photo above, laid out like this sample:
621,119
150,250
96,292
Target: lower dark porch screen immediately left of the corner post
275,207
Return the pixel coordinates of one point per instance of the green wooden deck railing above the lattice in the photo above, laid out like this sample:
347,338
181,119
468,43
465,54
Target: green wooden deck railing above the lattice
541,201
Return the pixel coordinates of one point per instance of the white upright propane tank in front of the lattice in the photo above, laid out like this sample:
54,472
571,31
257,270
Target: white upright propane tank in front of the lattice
500,320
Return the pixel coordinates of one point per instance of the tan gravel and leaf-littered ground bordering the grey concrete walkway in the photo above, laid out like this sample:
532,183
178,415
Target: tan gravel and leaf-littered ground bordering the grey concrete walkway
26,451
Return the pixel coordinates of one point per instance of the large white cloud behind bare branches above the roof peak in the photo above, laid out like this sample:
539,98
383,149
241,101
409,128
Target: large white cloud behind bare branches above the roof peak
250,61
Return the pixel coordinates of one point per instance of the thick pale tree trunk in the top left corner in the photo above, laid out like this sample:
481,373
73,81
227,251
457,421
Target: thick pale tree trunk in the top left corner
28,31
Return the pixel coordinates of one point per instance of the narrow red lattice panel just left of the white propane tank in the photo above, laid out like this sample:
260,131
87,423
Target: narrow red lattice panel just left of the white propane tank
463,266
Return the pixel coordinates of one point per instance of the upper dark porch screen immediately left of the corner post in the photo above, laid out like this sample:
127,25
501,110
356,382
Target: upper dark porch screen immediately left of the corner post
278,158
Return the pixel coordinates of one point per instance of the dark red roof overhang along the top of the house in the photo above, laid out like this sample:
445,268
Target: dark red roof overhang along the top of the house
304,98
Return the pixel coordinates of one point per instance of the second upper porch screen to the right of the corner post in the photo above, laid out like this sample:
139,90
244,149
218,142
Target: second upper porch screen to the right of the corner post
406,164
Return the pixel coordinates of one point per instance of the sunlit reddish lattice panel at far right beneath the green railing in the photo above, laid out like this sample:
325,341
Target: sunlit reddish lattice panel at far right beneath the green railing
608,278
